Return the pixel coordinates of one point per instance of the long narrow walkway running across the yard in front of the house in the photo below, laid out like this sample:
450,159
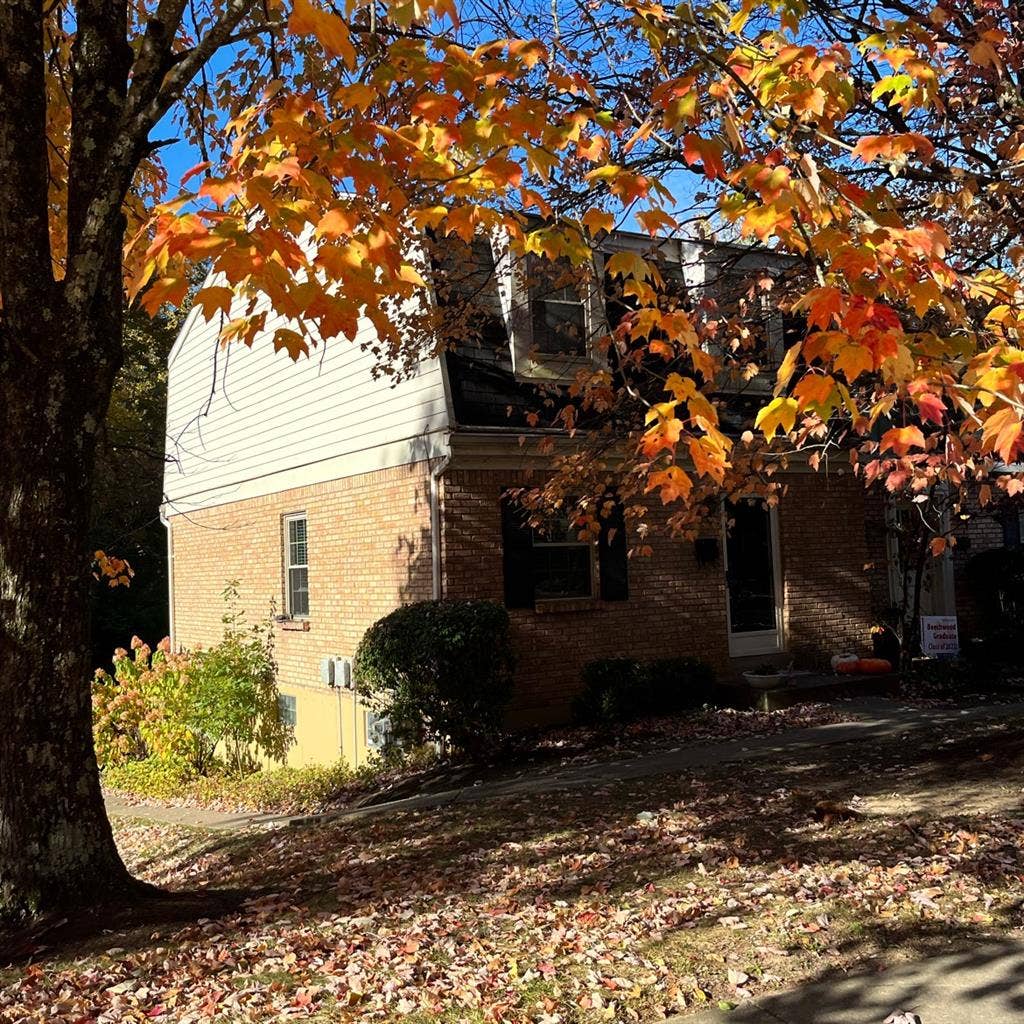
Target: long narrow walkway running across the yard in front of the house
870,720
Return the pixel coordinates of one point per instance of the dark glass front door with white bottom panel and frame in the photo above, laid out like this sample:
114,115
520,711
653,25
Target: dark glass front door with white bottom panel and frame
754,579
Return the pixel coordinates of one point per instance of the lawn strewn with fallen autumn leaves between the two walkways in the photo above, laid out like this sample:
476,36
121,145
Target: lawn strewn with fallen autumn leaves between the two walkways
629,903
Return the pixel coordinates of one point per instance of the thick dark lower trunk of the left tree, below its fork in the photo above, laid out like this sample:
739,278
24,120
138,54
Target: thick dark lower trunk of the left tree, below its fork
57,848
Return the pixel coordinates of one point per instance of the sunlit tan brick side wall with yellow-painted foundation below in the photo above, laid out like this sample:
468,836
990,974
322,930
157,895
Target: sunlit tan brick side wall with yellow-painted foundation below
369,552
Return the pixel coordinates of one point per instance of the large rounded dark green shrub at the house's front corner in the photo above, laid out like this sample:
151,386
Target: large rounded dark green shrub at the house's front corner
441,671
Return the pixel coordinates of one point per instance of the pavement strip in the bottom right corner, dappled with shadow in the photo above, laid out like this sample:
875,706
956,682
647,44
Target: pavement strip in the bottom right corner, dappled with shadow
975,986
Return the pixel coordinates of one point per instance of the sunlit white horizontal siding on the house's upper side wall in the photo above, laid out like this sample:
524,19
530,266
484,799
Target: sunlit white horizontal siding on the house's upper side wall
243,421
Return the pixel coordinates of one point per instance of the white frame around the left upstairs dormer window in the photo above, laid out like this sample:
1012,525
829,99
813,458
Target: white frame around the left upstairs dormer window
518,307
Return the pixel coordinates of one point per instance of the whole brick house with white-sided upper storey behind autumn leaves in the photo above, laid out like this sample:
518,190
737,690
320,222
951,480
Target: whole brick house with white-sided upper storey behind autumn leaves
334,497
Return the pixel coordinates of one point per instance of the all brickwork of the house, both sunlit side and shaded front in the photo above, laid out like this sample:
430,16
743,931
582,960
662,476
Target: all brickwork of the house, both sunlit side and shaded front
370,551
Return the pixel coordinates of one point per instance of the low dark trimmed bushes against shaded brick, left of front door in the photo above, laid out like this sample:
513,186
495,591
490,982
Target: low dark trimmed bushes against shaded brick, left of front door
621,690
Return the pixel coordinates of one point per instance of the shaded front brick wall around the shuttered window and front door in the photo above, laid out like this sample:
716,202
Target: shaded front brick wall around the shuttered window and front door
675,607
